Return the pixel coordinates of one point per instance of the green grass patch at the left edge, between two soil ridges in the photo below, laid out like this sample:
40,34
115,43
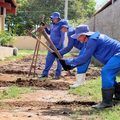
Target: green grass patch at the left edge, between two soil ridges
13,92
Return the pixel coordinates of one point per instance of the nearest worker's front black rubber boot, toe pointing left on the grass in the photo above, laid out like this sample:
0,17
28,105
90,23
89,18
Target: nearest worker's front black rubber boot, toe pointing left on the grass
107,96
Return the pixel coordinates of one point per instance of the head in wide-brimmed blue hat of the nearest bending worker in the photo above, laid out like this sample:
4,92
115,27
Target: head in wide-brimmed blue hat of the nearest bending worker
82,33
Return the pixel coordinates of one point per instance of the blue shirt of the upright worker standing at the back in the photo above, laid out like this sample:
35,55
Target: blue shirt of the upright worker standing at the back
56,35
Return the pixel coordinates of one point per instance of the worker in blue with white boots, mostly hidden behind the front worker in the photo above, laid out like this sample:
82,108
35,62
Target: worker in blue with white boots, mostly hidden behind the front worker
81,70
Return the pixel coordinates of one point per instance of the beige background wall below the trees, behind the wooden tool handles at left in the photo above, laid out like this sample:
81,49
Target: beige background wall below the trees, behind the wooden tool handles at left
27,42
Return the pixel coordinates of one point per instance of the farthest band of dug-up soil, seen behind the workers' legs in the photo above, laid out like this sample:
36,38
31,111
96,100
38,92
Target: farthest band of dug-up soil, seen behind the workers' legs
21,67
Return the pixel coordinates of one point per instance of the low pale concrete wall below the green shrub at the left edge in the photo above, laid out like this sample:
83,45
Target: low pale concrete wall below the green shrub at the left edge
6,52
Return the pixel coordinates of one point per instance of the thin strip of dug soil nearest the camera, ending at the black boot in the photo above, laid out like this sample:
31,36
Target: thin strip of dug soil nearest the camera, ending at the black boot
48,105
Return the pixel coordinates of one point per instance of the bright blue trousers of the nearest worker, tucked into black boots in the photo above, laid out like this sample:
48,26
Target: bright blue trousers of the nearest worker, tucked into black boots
109,72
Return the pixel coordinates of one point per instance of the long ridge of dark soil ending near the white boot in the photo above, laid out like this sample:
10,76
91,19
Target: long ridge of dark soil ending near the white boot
36,83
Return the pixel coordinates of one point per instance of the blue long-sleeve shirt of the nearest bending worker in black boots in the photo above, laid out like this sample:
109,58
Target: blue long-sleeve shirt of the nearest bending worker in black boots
101,47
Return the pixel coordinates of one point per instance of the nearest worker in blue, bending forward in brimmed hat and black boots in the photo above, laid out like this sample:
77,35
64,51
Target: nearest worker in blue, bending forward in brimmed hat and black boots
107,51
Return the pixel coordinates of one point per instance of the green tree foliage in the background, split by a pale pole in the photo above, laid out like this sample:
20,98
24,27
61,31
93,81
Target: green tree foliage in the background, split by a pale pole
30,13
